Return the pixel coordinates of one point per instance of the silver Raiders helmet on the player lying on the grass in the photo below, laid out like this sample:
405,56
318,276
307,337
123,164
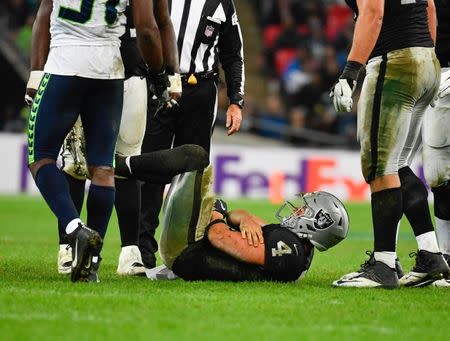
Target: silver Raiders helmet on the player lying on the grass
319,217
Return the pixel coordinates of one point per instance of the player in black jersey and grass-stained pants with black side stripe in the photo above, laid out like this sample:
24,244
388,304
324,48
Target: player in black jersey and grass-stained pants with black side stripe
396,40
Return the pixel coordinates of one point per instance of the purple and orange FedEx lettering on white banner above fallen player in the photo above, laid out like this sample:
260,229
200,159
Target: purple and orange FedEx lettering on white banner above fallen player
339,175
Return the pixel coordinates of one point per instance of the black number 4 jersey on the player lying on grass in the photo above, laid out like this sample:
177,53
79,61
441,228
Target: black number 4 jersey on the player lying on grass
287,257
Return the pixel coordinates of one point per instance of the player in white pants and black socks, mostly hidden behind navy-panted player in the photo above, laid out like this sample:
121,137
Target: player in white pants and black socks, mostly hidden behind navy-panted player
131,135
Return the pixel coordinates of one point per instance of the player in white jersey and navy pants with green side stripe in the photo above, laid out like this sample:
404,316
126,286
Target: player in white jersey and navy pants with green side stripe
77,70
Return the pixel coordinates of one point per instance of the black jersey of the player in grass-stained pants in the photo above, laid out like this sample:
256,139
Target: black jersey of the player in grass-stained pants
405,24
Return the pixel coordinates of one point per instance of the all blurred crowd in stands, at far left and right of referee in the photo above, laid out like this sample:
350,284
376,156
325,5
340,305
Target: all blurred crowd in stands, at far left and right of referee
305,45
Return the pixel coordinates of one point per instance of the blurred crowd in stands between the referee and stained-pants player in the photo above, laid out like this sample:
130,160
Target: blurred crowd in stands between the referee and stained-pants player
305,46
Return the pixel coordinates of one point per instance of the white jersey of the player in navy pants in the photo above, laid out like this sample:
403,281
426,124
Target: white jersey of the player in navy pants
85,38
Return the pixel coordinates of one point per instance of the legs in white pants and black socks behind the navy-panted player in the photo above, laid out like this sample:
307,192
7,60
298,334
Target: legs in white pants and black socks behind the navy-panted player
129,143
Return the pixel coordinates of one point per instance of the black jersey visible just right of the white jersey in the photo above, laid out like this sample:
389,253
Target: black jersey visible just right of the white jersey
131,56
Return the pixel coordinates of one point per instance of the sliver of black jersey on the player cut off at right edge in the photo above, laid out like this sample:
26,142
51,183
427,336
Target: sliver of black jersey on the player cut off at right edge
443,32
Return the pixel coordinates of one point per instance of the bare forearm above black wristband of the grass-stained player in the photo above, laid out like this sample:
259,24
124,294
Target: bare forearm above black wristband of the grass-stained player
367,30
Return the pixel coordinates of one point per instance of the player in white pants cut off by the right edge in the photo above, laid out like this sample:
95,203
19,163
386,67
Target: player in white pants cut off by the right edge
436,150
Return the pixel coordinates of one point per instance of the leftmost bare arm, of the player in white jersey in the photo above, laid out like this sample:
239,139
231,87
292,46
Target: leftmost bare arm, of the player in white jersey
40,38
